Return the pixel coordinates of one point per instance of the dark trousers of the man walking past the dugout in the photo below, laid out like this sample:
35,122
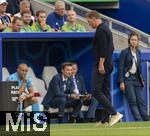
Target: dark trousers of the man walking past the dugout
101,91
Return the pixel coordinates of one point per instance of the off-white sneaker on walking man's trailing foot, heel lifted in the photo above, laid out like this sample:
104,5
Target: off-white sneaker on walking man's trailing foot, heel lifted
115,118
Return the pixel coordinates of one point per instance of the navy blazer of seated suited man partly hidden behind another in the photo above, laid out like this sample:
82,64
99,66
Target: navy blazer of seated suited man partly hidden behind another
80,83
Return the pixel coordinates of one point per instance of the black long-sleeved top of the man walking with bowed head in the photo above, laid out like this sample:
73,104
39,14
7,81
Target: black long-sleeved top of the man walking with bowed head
103,47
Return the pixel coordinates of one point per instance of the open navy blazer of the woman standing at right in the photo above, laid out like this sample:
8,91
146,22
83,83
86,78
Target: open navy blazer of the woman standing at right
126,61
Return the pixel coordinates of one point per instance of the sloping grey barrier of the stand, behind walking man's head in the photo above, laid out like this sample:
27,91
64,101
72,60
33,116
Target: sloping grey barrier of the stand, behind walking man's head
117,27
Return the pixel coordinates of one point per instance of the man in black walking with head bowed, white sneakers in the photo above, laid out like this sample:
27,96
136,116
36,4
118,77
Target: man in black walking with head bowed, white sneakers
103,66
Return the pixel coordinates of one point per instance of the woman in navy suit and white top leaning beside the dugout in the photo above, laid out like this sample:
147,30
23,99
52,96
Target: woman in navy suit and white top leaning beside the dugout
130,78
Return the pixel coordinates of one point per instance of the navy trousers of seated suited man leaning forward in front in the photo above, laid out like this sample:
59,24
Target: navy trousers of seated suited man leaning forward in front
61,103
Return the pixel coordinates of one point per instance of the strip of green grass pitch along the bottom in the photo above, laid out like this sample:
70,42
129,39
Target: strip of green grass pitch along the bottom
89,129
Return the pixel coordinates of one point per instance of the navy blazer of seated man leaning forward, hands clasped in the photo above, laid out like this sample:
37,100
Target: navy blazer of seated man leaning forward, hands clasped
56,89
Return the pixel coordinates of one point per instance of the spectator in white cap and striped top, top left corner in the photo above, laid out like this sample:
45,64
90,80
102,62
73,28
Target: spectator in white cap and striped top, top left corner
5,19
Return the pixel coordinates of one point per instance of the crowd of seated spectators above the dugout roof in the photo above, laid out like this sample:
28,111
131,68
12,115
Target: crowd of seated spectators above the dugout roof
56,21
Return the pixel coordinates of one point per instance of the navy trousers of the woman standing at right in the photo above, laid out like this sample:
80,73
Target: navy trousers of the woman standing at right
135,98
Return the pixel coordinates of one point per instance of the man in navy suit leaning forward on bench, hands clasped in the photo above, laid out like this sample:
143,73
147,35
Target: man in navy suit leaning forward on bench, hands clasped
60,93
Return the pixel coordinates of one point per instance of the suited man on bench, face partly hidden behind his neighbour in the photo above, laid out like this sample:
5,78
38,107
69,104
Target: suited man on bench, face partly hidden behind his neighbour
88,99
